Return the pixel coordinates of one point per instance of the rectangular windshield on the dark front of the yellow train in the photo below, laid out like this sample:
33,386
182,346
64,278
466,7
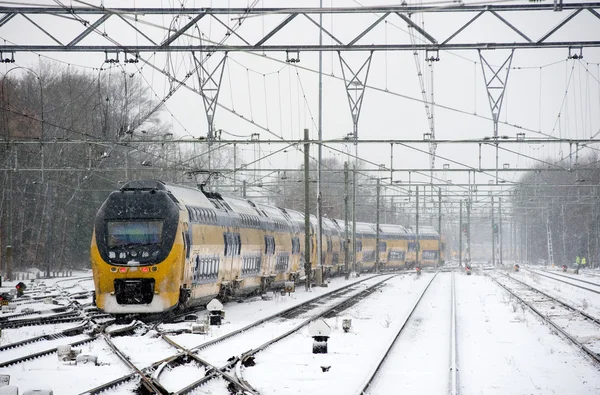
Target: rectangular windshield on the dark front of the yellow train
134,233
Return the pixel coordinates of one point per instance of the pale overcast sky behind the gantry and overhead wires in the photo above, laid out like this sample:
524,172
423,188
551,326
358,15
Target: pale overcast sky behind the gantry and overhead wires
283,98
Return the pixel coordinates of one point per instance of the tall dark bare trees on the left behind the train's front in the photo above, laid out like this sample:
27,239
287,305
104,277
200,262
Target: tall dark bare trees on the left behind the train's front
67,138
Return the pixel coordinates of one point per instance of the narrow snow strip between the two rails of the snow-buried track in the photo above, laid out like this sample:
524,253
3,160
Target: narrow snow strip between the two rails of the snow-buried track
419,362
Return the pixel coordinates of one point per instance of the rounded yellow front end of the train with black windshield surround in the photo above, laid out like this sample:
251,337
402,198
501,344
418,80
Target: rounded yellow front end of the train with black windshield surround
137,250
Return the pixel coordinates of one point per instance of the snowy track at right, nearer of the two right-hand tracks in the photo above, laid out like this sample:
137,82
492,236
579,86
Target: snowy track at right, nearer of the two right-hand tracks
579,327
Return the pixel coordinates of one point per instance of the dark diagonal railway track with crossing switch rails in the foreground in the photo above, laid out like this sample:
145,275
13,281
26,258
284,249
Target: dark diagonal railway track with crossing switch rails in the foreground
208,371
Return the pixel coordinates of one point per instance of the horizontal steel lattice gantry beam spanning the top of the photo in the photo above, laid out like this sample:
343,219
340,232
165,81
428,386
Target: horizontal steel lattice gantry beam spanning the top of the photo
94,19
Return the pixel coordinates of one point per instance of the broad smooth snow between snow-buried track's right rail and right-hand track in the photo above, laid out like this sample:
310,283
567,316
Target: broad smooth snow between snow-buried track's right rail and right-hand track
505,349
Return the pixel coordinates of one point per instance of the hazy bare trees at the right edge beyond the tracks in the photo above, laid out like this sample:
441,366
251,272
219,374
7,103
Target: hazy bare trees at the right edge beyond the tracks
562,197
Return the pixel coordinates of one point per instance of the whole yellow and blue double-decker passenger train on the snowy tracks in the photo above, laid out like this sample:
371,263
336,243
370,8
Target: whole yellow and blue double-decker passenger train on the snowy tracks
157,246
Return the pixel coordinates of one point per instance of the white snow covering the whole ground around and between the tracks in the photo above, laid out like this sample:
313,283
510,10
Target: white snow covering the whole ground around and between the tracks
502,348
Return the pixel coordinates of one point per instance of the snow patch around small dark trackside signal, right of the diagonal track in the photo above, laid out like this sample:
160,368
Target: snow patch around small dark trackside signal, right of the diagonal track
290,367
